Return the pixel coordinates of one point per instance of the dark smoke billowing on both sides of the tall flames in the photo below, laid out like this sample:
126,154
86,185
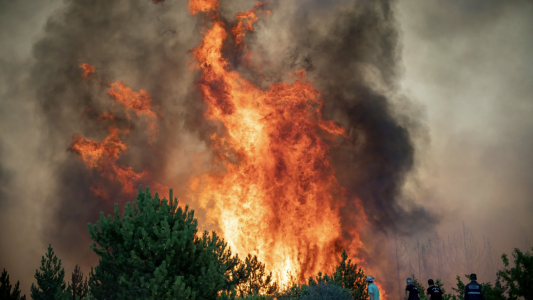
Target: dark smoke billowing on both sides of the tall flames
145,45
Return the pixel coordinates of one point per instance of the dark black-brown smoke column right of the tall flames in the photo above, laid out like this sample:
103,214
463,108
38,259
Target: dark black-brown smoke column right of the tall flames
352,53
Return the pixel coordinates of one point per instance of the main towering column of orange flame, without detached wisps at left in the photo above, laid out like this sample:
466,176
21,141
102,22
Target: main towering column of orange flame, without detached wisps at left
277,195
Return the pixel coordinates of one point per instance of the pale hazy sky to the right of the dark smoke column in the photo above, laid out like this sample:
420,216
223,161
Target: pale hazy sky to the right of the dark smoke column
470,66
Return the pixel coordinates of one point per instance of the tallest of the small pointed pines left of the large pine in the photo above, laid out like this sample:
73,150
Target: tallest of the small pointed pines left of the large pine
50,279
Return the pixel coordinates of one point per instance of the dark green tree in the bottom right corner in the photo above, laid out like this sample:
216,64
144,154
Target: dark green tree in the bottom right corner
519,279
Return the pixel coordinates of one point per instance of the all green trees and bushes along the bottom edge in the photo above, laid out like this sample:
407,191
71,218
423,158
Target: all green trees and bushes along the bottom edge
153,250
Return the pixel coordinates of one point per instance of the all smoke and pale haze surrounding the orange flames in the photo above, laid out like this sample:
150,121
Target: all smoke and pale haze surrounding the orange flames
435,96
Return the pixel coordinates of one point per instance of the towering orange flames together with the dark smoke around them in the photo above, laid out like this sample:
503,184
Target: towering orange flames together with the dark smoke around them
279,131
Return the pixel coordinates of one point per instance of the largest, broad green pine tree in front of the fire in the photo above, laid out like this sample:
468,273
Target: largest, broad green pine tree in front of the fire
154,252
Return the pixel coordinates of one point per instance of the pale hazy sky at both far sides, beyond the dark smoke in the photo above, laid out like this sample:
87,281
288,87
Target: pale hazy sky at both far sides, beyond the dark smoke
467,69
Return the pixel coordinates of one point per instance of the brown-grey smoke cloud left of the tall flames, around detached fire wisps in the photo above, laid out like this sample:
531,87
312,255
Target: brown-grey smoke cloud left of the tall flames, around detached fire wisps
138,42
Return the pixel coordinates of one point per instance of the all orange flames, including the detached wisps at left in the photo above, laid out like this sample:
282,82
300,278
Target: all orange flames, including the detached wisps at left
271,188
